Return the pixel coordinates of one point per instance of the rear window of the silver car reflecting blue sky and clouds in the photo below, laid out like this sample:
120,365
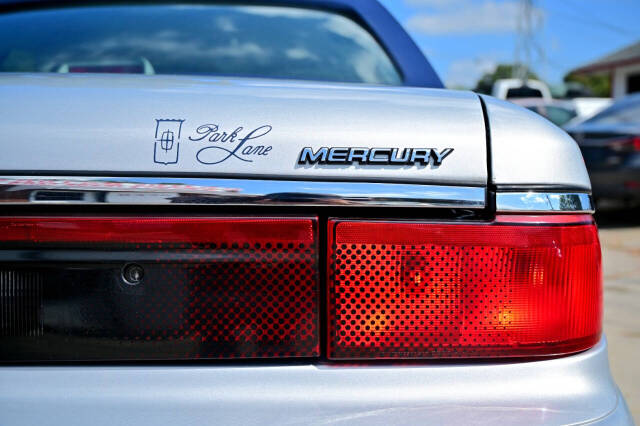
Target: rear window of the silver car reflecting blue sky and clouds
252,41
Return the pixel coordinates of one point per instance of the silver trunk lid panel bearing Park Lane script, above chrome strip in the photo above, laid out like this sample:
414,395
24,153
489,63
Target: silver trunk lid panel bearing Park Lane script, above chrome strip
165,125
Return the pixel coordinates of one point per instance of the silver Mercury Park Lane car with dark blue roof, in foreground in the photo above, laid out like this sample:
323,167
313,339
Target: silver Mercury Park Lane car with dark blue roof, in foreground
273,213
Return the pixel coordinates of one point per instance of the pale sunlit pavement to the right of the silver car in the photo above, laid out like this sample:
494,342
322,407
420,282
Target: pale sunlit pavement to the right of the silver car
620,239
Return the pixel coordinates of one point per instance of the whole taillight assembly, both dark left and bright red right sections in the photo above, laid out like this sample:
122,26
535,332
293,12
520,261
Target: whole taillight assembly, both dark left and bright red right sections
231,287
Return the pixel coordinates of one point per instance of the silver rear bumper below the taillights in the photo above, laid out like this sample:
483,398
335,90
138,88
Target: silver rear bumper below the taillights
567,390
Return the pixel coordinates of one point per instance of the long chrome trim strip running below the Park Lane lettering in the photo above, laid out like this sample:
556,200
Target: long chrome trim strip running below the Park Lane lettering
233,192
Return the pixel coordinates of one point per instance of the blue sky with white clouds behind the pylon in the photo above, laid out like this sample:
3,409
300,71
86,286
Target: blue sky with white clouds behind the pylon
465,38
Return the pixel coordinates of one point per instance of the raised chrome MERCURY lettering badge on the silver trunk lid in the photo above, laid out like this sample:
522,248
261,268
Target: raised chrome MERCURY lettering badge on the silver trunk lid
374,156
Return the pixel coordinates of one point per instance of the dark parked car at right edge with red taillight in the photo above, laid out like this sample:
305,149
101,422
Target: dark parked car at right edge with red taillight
610,145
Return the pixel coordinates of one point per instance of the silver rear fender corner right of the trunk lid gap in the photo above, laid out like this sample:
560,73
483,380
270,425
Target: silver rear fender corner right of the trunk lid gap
529,151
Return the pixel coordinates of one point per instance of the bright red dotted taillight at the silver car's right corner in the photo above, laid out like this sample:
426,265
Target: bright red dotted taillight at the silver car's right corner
519,286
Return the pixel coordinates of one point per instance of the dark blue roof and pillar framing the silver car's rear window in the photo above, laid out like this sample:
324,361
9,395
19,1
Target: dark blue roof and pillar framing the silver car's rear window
408,58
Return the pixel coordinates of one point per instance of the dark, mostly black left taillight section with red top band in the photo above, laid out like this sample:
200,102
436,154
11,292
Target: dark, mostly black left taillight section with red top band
124,288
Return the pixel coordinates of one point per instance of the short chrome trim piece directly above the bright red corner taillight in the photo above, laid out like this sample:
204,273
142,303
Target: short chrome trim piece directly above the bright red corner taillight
543,202
